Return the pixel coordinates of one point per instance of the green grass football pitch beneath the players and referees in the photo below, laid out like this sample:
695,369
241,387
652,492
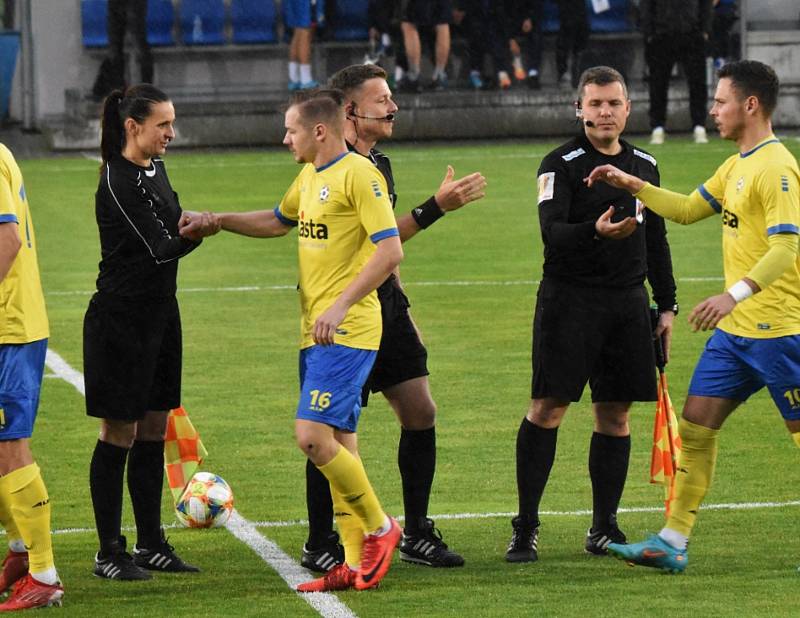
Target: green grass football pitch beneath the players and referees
471,279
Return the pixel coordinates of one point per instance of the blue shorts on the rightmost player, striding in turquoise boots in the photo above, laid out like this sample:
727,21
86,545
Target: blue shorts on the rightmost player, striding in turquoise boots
733,367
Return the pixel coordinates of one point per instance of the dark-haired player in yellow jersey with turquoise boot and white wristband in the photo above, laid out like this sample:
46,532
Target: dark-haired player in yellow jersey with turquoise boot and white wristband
756,341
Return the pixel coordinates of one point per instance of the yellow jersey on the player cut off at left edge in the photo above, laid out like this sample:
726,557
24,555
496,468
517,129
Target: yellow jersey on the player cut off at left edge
23,317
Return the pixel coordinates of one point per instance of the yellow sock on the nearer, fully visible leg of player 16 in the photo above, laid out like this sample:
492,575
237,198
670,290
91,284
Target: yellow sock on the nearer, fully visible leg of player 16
347,476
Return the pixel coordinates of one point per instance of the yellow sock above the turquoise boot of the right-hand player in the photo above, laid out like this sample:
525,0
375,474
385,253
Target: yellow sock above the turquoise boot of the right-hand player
695,472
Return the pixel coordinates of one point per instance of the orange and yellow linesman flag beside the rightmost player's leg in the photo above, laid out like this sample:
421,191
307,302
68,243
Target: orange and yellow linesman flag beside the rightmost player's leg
666,443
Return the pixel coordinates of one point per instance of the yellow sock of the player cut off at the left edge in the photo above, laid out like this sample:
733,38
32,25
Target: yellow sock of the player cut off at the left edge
25,495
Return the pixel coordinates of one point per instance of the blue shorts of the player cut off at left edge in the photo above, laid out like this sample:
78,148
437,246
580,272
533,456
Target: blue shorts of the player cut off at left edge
21,370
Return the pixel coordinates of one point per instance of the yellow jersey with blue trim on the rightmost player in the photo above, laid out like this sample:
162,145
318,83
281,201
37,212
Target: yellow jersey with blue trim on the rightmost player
758,194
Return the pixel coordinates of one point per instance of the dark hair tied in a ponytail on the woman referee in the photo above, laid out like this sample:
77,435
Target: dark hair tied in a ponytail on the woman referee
135,102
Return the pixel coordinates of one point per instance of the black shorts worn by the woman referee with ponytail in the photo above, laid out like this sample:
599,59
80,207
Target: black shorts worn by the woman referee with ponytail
131,357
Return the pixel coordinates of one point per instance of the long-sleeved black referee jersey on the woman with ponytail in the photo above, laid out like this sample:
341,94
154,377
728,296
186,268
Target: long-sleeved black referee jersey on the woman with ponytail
137,216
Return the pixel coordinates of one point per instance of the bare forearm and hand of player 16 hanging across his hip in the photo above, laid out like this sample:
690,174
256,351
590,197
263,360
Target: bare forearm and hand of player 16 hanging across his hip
388,255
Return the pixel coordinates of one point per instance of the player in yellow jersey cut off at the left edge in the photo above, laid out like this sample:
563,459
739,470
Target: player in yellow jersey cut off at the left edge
24,502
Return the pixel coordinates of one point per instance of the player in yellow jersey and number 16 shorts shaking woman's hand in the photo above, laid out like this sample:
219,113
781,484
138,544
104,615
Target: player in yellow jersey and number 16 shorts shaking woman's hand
348,245
